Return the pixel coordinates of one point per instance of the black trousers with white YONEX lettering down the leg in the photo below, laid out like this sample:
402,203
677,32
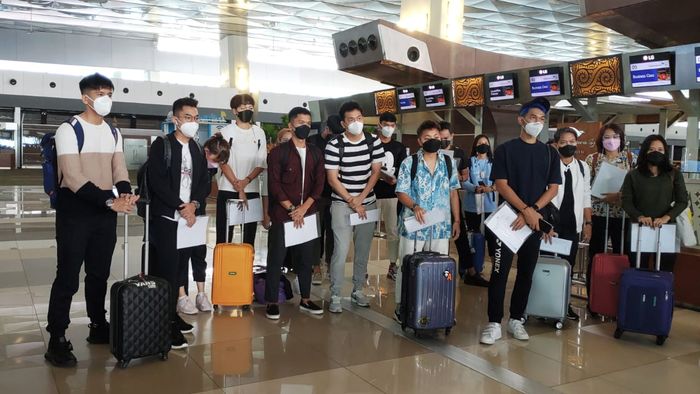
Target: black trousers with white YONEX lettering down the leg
503,259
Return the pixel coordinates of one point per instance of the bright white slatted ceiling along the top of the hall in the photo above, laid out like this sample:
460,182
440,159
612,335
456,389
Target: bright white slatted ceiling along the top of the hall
543,29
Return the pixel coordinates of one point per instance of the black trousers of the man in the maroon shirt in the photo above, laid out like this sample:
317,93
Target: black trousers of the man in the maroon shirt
302,255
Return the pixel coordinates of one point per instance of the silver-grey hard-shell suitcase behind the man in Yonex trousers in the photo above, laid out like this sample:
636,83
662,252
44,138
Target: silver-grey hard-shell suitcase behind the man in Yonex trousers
551,290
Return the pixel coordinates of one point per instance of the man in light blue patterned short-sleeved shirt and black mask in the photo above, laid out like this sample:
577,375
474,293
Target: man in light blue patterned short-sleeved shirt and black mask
432,191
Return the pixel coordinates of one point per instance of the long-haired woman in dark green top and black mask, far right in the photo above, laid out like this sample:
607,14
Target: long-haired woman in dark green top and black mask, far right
654,193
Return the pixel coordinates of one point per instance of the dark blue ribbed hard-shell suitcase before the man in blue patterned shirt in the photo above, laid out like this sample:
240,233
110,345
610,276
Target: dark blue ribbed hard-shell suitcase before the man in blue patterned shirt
428,292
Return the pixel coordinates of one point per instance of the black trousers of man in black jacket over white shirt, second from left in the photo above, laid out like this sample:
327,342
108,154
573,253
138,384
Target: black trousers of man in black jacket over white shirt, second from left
167,262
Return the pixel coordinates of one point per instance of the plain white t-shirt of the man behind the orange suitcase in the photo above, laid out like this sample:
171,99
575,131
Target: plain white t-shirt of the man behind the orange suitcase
248,151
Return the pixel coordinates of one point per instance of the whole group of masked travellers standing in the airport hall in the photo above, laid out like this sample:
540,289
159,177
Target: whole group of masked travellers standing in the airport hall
341,171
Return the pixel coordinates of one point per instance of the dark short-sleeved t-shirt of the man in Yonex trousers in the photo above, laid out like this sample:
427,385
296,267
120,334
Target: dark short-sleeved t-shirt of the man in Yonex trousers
529,168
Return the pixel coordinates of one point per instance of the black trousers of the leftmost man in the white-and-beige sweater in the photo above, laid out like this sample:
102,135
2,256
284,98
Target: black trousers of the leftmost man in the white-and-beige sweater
81,238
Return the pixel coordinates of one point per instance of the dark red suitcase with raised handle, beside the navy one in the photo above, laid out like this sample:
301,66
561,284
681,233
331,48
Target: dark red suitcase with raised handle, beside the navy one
606,271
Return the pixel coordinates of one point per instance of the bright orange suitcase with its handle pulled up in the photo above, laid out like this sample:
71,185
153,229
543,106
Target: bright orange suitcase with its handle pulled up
232,282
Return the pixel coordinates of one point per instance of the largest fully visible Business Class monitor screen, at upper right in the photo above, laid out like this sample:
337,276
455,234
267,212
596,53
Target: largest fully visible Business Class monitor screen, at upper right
654,69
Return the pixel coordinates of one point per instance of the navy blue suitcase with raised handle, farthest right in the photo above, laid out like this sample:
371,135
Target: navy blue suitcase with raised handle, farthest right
646,299
